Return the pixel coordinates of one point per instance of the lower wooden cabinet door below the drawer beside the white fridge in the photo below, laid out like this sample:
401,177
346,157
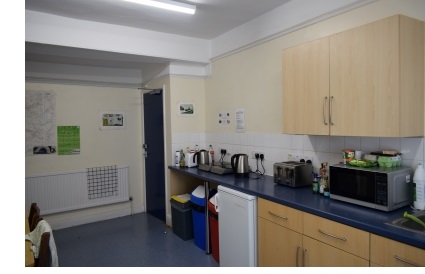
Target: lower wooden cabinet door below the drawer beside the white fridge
277,245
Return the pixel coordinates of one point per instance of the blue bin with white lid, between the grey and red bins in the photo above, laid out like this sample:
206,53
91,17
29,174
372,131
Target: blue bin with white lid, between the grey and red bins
198,202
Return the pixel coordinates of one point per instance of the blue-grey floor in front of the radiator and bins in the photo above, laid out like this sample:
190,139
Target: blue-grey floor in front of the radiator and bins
136,240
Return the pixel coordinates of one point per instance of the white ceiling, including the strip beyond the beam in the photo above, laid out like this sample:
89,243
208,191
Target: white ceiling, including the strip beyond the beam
212,19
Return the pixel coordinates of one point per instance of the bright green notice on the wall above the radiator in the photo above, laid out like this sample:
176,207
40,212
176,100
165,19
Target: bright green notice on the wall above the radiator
68,140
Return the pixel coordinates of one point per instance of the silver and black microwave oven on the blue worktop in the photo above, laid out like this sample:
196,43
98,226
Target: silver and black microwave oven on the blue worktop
380,188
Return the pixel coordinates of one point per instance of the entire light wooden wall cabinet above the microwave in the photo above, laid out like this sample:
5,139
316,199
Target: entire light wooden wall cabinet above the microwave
375,83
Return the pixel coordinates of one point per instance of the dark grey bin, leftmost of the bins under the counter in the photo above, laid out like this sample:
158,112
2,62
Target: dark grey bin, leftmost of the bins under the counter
181,216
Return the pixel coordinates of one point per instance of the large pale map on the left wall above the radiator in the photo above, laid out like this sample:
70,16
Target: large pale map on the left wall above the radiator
40,122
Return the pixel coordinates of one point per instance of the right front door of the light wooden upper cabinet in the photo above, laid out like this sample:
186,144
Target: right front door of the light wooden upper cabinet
365,80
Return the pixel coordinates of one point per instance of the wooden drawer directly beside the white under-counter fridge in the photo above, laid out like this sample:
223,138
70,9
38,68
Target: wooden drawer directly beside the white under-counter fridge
280,214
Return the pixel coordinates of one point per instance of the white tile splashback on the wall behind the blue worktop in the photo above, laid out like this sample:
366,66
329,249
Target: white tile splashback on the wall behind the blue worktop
277,146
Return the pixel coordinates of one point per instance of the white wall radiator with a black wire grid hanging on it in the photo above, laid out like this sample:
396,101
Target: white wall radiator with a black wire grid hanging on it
71,190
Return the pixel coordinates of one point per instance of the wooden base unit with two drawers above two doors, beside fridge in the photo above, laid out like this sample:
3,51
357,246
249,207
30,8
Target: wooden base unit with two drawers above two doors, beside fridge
288,237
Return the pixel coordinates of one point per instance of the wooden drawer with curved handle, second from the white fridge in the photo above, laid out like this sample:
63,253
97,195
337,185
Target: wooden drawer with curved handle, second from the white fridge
341,236
